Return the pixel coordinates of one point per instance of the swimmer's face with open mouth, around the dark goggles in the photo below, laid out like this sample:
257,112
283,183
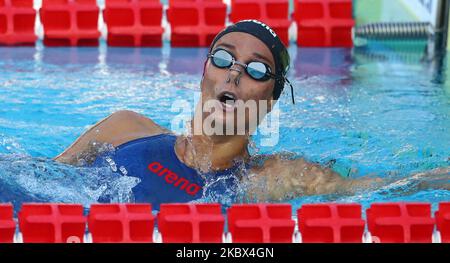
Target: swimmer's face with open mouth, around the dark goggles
233,92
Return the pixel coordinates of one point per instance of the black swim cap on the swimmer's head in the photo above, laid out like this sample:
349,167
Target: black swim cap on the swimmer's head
279,52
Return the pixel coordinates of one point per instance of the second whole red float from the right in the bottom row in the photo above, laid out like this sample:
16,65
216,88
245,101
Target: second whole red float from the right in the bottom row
331,223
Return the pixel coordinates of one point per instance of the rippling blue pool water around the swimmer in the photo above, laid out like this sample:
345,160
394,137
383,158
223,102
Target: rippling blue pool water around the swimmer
361,112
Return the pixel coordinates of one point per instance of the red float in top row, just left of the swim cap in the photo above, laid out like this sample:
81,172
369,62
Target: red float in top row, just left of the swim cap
195,23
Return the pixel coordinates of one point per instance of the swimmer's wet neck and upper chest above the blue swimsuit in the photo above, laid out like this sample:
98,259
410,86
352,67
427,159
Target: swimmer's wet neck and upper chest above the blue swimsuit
215,152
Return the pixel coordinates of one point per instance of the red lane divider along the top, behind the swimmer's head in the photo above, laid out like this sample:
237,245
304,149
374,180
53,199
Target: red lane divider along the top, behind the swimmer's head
193,23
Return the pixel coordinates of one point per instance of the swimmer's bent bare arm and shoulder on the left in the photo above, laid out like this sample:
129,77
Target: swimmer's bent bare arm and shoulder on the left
119,127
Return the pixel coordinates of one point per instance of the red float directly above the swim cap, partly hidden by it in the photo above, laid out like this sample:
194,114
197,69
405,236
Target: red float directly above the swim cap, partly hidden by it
274,13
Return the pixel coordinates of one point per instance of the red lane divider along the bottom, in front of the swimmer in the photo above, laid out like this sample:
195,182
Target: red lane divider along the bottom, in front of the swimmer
399,222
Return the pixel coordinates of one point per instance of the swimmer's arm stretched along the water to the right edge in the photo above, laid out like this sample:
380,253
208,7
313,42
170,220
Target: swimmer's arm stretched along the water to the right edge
278,180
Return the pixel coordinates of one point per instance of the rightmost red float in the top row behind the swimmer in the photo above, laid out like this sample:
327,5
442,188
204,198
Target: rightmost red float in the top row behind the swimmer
324,23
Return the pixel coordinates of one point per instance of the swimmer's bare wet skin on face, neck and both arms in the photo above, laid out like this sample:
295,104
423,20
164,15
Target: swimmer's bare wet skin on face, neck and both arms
276,178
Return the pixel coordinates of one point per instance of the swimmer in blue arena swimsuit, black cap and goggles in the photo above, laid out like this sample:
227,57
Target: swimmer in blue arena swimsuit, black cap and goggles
246,62
